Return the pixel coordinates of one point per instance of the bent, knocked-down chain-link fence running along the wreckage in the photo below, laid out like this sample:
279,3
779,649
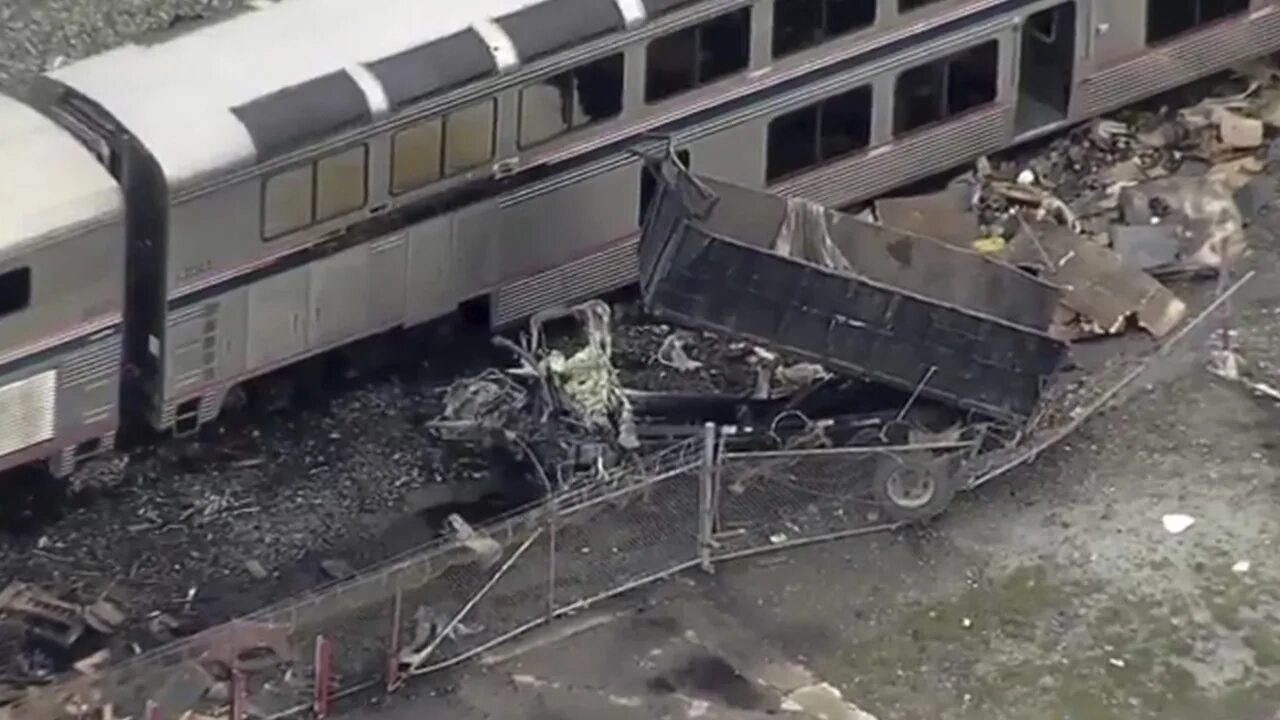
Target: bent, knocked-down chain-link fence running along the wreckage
694,504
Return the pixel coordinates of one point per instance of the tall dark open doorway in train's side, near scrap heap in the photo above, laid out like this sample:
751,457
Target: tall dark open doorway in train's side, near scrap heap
1046,67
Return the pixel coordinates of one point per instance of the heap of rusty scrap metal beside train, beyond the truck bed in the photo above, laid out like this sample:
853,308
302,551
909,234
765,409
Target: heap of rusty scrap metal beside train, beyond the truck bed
1117,208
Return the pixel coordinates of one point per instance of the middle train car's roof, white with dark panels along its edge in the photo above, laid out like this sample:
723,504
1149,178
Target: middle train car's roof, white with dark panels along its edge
281,76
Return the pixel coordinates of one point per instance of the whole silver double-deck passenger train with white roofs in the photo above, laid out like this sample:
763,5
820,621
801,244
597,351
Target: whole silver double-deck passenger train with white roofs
312,174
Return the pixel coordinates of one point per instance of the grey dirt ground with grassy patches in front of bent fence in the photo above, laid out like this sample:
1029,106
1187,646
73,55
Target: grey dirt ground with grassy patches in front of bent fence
1055,593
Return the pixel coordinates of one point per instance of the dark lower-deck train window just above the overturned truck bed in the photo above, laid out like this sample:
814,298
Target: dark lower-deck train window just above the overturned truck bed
820,134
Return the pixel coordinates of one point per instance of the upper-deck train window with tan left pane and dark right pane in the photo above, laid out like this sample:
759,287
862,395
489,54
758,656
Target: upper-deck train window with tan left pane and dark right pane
570,101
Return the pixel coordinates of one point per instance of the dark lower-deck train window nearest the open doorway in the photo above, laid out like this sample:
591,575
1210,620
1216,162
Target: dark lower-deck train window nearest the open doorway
935,92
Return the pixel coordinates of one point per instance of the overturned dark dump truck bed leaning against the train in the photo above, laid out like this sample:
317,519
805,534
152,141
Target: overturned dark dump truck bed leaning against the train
870,302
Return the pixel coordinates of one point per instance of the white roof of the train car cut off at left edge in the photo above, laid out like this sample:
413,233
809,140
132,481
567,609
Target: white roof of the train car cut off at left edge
53,184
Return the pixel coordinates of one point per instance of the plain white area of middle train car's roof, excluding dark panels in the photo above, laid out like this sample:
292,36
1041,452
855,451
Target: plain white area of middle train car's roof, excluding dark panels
176,97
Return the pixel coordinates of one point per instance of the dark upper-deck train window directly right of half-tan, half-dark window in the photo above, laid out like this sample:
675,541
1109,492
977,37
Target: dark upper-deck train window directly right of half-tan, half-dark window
697,56
